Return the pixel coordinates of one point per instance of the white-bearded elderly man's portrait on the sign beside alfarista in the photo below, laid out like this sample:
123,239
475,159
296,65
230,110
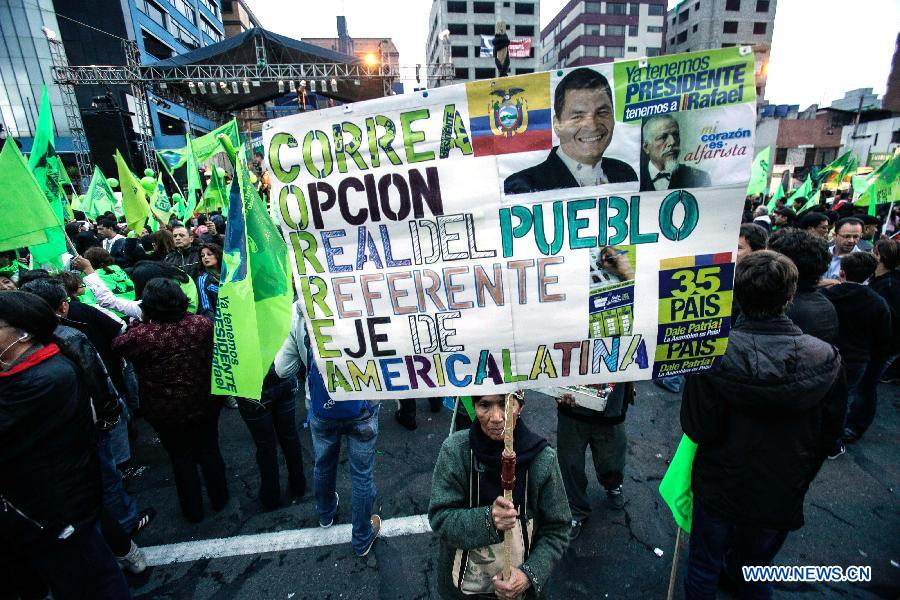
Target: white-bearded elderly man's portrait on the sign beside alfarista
660,149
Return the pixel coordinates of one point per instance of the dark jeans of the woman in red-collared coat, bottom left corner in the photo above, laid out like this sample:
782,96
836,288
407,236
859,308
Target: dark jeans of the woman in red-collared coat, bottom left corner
80,567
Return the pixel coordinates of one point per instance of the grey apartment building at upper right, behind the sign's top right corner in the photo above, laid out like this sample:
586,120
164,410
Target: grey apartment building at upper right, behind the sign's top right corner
707,24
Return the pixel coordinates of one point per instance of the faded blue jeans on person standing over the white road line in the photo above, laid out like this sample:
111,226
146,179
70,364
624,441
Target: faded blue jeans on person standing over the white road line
361,437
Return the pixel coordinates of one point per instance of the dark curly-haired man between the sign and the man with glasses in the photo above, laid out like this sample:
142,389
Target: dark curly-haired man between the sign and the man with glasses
811,311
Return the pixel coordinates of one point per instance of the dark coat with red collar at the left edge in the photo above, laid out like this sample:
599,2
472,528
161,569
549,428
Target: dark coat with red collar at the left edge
49,467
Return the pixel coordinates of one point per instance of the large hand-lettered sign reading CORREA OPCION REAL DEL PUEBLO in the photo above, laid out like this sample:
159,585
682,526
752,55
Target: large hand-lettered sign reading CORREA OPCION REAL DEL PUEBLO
573,227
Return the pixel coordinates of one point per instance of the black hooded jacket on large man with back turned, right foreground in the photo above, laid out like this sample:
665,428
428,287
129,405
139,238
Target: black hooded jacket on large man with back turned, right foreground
764,422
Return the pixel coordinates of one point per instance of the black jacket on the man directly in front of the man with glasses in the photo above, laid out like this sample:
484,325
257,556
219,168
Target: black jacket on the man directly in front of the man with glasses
864,319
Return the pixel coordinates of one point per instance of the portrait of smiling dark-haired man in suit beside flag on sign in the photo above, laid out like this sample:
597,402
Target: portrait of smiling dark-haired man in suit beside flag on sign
583,119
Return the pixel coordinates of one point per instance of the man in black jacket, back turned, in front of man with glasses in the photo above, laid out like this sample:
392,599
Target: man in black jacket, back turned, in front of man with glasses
864,318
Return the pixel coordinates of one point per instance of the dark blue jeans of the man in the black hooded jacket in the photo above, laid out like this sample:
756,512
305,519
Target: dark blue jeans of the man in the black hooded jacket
718,545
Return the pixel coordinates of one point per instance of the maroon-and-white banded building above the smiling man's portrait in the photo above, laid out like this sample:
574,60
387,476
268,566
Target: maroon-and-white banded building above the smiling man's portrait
585,33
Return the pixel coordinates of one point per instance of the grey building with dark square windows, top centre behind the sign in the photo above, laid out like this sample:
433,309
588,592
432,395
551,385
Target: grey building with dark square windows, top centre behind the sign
463,22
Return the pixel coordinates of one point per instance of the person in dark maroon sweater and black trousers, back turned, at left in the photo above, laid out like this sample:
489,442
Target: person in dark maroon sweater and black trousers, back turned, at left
172,355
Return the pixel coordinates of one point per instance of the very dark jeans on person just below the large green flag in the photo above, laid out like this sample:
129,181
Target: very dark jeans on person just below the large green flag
271,424
